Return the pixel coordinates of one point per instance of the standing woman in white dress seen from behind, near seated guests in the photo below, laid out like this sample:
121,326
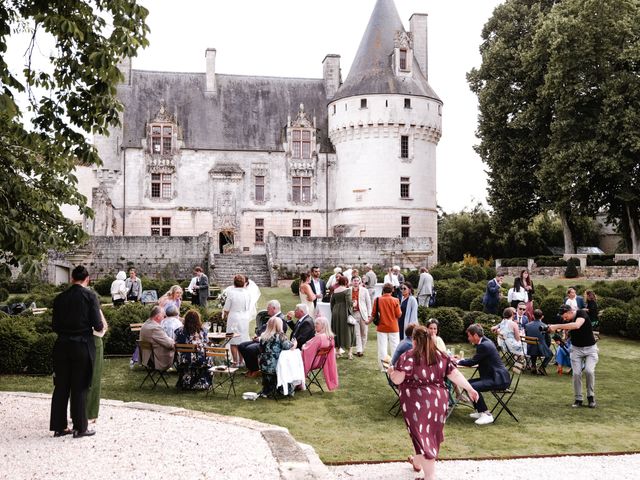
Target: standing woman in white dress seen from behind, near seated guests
236,310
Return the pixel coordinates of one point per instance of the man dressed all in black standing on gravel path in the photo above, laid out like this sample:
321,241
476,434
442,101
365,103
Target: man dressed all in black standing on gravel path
75,312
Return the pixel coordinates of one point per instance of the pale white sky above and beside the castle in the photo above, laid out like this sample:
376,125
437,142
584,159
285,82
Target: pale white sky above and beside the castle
292,37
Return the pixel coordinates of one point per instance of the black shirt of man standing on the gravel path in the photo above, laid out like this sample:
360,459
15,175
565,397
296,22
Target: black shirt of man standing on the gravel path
76,311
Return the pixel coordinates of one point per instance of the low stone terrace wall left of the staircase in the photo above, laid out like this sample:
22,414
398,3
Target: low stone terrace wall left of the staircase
156,257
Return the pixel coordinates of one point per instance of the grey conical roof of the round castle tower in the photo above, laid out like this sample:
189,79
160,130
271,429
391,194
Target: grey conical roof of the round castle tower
371,71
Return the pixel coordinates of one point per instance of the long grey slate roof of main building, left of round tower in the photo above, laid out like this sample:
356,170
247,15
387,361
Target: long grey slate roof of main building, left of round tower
247,113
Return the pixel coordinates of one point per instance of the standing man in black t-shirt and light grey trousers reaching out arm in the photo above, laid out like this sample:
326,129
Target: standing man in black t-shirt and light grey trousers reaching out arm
583,349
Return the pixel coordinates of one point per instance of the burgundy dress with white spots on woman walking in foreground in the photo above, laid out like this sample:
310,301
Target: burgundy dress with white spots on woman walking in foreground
424,399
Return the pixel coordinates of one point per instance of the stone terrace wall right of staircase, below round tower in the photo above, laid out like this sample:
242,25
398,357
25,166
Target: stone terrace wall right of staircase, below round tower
290,255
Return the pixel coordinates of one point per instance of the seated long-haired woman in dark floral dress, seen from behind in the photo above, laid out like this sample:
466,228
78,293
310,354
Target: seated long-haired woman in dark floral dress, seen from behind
192,367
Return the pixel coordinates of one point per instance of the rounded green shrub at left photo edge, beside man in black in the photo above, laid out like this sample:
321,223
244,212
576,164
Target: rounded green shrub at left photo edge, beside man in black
15,342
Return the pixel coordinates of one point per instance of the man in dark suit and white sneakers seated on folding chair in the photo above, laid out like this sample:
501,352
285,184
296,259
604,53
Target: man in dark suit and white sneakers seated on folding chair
493,374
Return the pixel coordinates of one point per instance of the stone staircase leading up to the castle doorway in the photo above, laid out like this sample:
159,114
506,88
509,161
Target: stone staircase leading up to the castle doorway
227,265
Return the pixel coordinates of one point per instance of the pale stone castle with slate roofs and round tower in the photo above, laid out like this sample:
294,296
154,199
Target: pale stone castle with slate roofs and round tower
237,157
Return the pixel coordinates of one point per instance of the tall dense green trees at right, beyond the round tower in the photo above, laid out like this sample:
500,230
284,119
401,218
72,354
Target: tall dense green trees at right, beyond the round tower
559,110
